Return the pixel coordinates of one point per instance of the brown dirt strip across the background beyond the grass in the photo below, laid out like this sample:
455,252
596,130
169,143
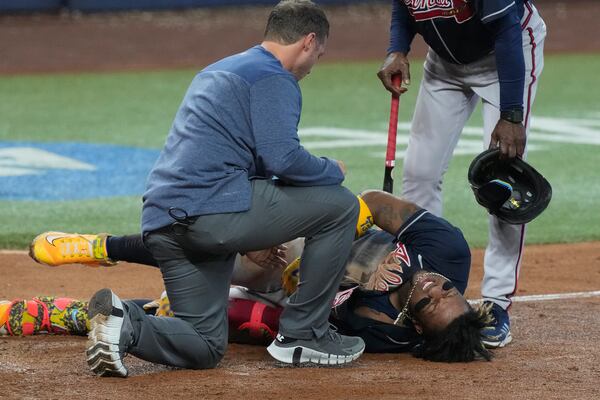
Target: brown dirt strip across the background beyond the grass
134,41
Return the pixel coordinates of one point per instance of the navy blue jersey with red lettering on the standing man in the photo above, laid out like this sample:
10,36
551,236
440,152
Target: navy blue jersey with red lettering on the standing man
460,31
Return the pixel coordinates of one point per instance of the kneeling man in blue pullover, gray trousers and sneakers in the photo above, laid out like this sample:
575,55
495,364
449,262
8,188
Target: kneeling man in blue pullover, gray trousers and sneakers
233,178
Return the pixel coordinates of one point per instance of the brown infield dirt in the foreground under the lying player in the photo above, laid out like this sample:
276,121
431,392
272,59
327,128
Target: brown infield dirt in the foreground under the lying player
554,355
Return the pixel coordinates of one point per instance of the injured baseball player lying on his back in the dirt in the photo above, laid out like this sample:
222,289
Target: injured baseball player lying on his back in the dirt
403,289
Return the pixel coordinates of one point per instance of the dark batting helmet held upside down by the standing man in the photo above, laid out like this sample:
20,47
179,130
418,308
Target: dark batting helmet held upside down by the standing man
510,189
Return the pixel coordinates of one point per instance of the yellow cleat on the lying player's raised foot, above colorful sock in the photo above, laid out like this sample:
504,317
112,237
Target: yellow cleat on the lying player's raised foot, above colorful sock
58,248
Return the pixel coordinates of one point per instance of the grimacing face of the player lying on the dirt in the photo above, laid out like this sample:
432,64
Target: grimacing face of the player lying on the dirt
436,303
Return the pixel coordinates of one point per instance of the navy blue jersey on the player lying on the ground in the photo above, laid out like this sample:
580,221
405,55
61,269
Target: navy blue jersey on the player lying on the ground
380,262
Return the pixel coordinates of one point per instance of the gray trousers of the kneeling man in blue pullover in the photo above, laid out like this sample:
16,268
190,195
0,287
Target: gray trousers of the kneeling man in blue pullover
197,265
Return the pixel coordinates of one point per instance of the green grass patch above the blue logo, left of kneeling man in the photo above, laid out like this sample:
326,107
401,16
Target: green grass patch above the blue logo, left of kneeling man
124,108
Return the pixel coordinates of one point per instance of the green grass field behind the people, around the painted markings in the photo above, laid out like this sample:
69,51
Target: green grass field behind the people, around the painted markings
137,109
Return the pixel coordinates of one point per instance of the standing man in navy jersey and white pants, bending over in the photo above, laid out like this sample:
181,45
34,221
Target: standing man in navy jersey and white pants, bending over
481,49
